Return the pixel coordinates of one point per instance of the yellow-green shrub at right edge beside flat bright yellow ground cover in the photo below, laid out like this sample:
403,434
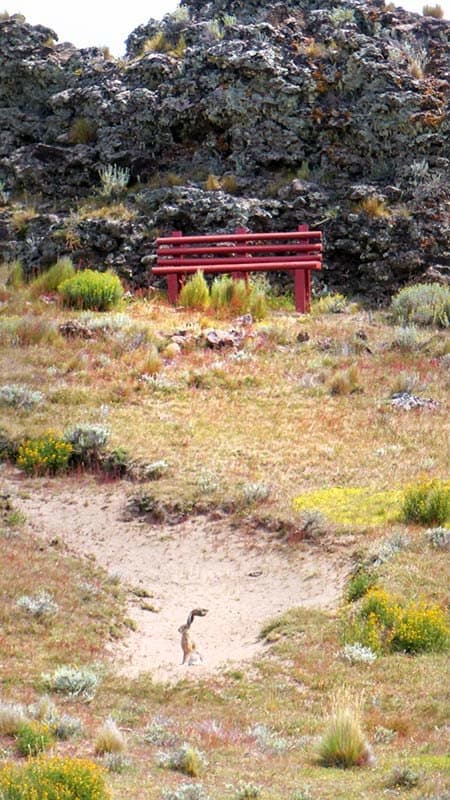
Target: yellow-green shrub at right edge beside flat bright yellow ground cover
427,503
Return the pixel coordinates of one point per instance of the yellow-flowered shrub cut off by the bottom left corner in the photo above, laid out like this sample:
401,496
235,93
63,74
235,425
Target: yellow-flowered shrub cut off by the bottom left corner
53,778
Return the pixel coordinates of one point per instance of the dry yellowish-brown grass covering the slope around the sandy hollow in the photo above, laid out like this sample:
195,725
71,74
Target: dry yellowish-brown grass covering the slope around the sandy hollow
267,418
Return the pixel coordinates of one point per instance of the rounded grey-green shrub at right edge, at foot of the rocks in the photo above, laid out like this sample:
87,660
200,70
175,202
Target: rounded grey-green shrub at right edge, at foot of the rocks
423,304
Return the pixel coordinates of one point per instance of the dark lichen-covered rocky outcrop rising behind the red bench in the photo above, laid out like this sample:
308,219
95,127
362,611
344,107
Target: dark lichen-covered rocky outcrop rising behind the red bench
334,115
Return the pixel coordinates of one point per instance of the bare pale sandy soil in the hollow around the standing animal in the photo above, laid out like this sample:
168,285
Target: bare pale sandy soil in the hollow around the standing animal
242,579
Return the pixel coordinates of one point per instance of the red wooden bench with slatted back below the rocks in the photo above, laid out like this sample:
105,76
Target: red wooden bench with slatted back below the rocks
239,254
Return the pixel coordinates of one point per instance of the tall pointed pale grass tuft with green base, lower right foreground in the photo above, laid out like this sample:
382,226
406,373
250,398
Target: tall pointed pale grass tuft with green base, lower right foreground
344,744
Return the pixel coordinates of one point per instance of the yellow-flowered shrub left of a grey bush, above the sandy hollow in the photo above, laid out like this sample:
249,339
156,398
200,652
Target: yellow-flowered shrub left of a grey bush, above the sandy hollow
48,454
